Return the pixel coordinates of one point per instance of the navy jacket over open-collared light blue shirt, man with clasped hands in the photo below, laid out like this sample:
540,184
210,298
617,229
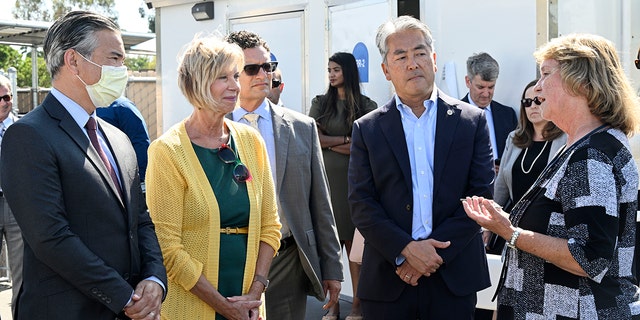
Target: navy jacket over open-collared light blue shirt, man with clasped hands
381,199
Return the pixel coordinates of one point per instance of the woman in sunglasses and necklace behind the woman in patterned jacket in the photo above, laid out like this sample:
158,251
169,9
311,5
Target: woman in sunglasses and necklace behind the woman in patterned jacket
527,151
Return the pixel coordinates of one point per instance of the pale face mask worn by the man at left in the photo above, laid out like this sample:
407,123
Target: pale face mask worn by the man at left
113,81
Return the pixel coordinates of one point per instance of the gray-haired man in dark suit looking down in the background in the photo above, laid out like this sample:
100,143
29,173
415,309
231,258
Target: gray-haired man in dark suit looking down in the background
482,74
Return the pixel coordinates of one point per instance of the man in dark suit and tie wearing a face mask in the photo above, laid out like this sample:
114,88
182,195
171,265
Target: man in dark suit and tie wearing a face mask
90,249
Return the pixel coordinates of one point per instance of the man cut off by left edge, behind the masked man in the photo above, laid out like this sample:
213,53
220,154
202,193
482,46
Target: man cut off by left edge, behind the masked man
9,228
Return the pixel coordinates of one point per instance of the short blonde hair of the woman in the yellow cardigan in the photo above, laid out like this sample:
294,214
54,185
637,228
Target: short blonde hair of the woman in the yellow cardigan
203,60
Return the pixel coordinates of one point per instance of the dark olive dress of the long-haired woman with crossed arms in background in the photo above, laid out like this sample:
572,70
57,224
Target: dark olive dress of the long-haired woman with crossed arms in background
336,164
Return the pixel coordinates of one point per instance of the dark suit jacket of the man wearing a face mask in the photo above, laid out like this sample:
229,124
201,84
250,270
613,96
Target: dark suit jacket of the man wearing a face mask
85,249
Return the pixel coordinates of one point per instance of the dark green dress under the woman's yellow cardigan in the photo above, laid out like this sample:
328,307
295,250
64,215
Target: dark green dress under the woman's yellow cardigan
233,202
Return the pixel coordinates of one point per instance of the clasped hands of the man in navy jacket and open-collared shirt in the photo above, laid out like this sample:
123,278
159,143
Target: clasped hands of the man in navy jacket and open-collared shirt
421,260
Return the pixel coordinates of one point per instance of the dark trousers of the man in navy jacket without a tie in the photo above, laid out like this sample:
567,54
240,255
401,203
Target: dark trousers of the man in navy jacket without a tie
429,300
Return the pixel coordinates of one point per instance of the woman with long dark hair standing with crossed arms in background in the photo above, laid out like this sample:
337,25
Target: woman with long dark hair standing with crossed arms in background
335,112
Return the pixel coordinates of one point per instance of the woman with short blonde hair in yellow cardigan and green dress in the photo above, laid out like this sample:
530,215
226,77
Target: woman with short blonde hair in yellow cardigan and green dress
211,195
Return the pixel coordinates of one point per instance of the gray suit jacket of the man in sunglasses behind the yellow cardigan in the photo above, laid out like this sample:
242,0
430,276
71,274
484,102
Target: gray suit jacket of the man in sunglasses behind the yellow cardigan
303,195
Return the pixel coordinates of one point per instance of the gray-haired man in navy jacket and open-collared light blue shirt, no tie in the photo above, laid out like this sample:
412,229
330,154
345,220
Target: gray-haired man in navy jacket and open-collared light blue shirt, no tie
411,162
